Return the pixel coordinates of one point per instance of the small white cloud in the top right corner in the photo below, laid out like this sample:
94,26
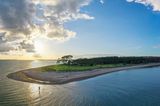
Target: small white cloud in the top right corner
155,4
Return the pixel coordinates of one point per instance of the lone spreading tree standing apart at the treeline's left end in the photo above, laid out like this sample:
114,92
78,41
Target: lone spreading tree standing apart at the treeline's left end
67,59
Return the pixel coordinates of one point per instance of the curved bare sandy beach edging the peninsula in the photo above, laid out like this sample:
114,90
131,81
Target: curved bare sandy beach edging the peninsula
36,76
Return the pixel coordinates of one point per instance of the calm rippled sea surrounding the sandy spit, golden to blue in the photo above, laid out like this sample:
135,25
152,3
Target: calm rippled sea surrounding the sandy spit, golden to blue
139,87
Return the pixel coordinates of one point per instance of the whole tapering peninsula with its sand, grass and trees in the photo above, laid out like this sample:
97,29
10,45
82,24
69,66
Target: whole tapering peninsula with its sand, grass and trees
74,70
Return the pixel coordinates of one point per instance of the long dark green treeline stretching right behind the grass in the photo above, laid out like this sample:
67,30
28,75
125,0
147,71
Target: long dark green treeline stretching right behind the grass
115,60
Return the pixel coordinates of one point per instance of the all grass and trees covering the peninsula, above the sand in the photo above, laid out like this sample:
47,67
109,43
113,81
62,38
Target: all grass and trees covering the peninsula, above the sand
66,63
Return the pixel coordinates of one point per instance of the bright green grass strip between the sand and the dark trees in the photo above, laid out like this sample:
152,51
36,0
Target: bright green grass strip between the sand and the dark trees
62,68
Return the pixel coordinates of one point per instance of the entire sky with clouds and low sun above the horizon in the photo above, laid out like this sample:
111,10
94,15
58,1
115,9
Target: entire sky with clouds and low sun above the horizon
48,29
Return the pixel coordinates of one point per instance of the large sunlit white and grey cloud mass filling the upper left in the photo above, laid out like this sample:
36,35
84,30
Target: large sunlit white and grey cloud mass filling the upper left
23,20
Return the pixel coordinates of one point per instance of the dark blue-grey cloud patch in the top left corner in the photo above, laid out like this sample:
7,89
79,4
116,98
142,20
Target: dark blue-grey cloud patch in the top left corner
16,15
